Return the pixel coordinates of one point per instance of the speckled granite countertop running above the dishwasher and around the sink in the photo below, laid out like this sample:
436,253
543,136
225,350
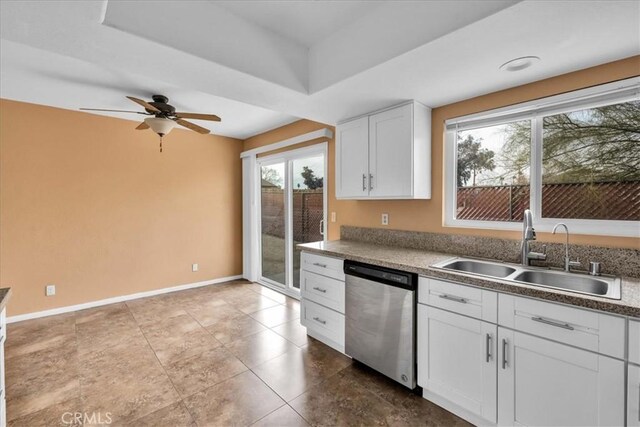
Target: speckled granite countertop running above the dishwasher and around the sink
420,262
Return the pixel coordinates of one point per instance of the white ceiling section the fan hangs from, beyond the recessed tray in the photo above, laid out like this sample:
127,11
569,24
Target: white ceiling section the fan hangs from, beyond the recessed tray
70,83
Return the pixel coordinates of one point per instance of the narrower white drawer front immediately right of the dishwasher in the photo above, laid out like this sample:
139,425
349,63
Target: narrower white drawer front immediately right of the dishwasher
466,300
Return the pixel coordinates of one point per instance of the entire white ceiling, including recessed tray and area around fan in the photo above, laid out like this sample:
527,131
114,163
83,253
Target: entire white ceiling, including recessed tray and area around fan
262,64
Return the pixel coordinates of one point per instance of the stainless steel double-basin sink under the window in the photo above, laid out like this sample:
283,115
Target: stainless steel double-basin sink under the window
601,286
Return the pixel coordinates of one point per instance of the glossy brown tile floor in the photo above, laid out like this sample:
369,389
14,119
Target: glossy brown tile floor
229,354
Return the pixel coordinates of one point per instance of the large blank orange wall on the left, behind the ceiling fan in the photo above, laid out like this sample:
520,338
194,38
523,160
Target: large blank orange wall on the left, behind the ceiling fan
89,204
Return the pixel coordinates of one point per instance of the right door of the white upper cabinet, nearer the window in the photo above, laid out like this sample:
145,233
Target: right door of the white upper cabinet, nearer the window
391,153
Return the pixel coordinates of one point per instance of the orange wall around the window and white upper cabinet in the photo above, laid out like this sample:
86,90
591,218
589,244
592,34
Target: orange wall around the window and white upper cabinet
427,215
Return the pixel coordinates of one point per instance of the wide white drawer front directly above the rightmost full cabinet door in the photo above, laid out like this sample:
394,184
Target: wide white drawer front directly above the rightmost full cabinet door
598,332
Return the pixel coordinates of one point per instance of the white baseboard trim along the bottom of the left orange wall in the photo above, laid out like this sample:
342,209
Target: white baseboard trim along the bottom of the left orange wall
112,300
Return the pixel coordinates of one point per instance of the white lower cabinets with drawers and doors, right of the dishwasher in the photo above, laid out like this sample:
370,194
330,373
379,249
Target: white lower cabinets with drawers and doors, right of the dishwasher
541,364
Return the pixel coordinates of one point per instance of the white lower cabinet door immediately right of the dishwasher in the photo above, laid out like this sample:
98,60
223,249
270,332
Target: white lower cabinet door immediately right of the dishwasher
457,360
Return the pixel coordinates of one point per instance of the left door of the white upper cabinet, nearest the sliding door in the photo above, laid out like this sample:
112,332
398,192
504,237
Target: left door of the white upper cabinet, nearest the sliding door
352,159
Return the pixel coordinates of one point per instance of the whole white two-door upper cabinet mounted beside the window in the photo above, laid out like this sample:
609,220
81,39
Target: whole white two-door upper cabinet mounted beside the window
386,155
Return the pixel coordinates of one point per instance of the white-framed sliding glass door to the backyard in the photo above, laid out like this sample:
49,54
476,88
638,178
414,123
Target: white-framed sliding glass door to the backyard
292,211
